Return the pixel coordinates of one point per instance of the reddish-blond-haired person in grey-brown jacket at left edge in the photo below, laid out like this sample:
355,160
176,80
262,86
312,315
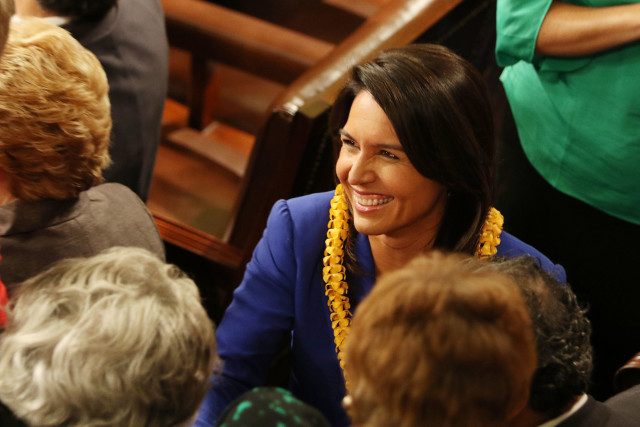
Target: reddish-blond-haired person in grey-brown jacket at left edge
54,136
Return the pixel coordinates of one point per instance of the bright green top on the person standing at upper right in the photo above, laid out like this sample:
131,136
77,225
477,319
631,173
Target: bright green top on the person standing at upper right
578,118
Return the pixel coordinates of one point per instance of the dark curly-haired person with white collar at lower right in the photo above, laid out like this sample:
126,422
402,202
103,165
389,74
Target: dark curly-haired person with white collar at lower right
558,395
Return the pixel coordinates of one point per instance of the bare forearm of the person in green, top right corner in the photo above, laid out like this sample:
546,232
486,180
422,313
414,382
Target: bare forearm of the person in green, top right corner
571,30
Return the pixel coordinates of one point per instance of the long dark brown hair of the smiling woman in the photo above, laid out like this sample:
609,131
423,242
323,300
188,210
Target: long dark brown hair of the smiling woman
439,107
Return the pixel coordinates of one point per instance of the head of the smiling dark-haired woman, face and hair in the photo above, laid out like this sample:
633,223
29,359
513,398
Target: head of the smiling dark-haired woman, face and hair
417,144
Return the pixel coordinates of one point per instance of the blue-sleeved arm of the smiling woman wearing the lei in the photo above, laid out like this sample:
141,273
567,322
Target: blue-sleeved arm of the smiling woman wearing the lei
259,319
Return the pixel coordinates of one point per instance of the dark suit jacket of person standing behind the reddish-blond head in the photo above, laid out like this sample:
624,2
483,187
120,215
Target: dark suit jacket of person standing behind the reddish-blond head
131,44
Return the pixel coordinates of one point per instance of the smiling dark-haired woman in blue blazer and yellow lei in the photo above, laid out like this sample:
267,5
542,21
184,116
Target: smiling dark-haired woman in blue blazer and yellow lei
416,170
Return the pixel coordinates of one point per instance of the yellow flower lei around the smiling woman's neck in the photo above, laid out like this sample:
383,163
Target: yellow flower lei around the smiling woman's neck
334,273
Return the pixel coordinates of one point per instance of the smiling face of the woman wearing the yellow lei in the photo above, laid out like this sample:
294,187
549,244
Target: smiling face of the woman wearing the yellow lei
388,195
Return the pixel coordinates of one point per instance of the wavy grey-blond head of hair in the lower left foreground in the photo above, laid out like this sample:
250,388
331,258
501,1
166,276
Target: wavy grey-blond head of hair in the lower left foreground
118,339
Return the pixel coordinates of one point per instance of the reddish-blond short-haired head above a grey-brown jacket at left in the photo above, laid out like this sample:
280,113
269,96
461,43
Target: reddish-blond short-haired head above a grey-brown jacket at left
55,117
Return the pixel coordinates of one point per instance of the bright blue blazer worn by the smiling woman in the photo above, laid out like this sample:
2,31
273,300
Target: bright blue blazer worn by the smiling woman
282,298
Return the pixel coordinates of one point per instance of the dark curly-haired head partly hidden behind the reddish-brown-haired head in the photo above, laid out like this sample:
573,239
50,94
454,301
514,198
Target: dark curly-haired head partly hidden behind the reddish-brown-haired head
562,332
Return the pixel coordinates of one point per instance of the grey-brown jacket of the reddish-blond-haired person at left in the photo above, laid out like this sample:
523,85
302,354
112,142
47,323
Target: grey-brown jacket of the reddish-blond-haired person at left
34,235
